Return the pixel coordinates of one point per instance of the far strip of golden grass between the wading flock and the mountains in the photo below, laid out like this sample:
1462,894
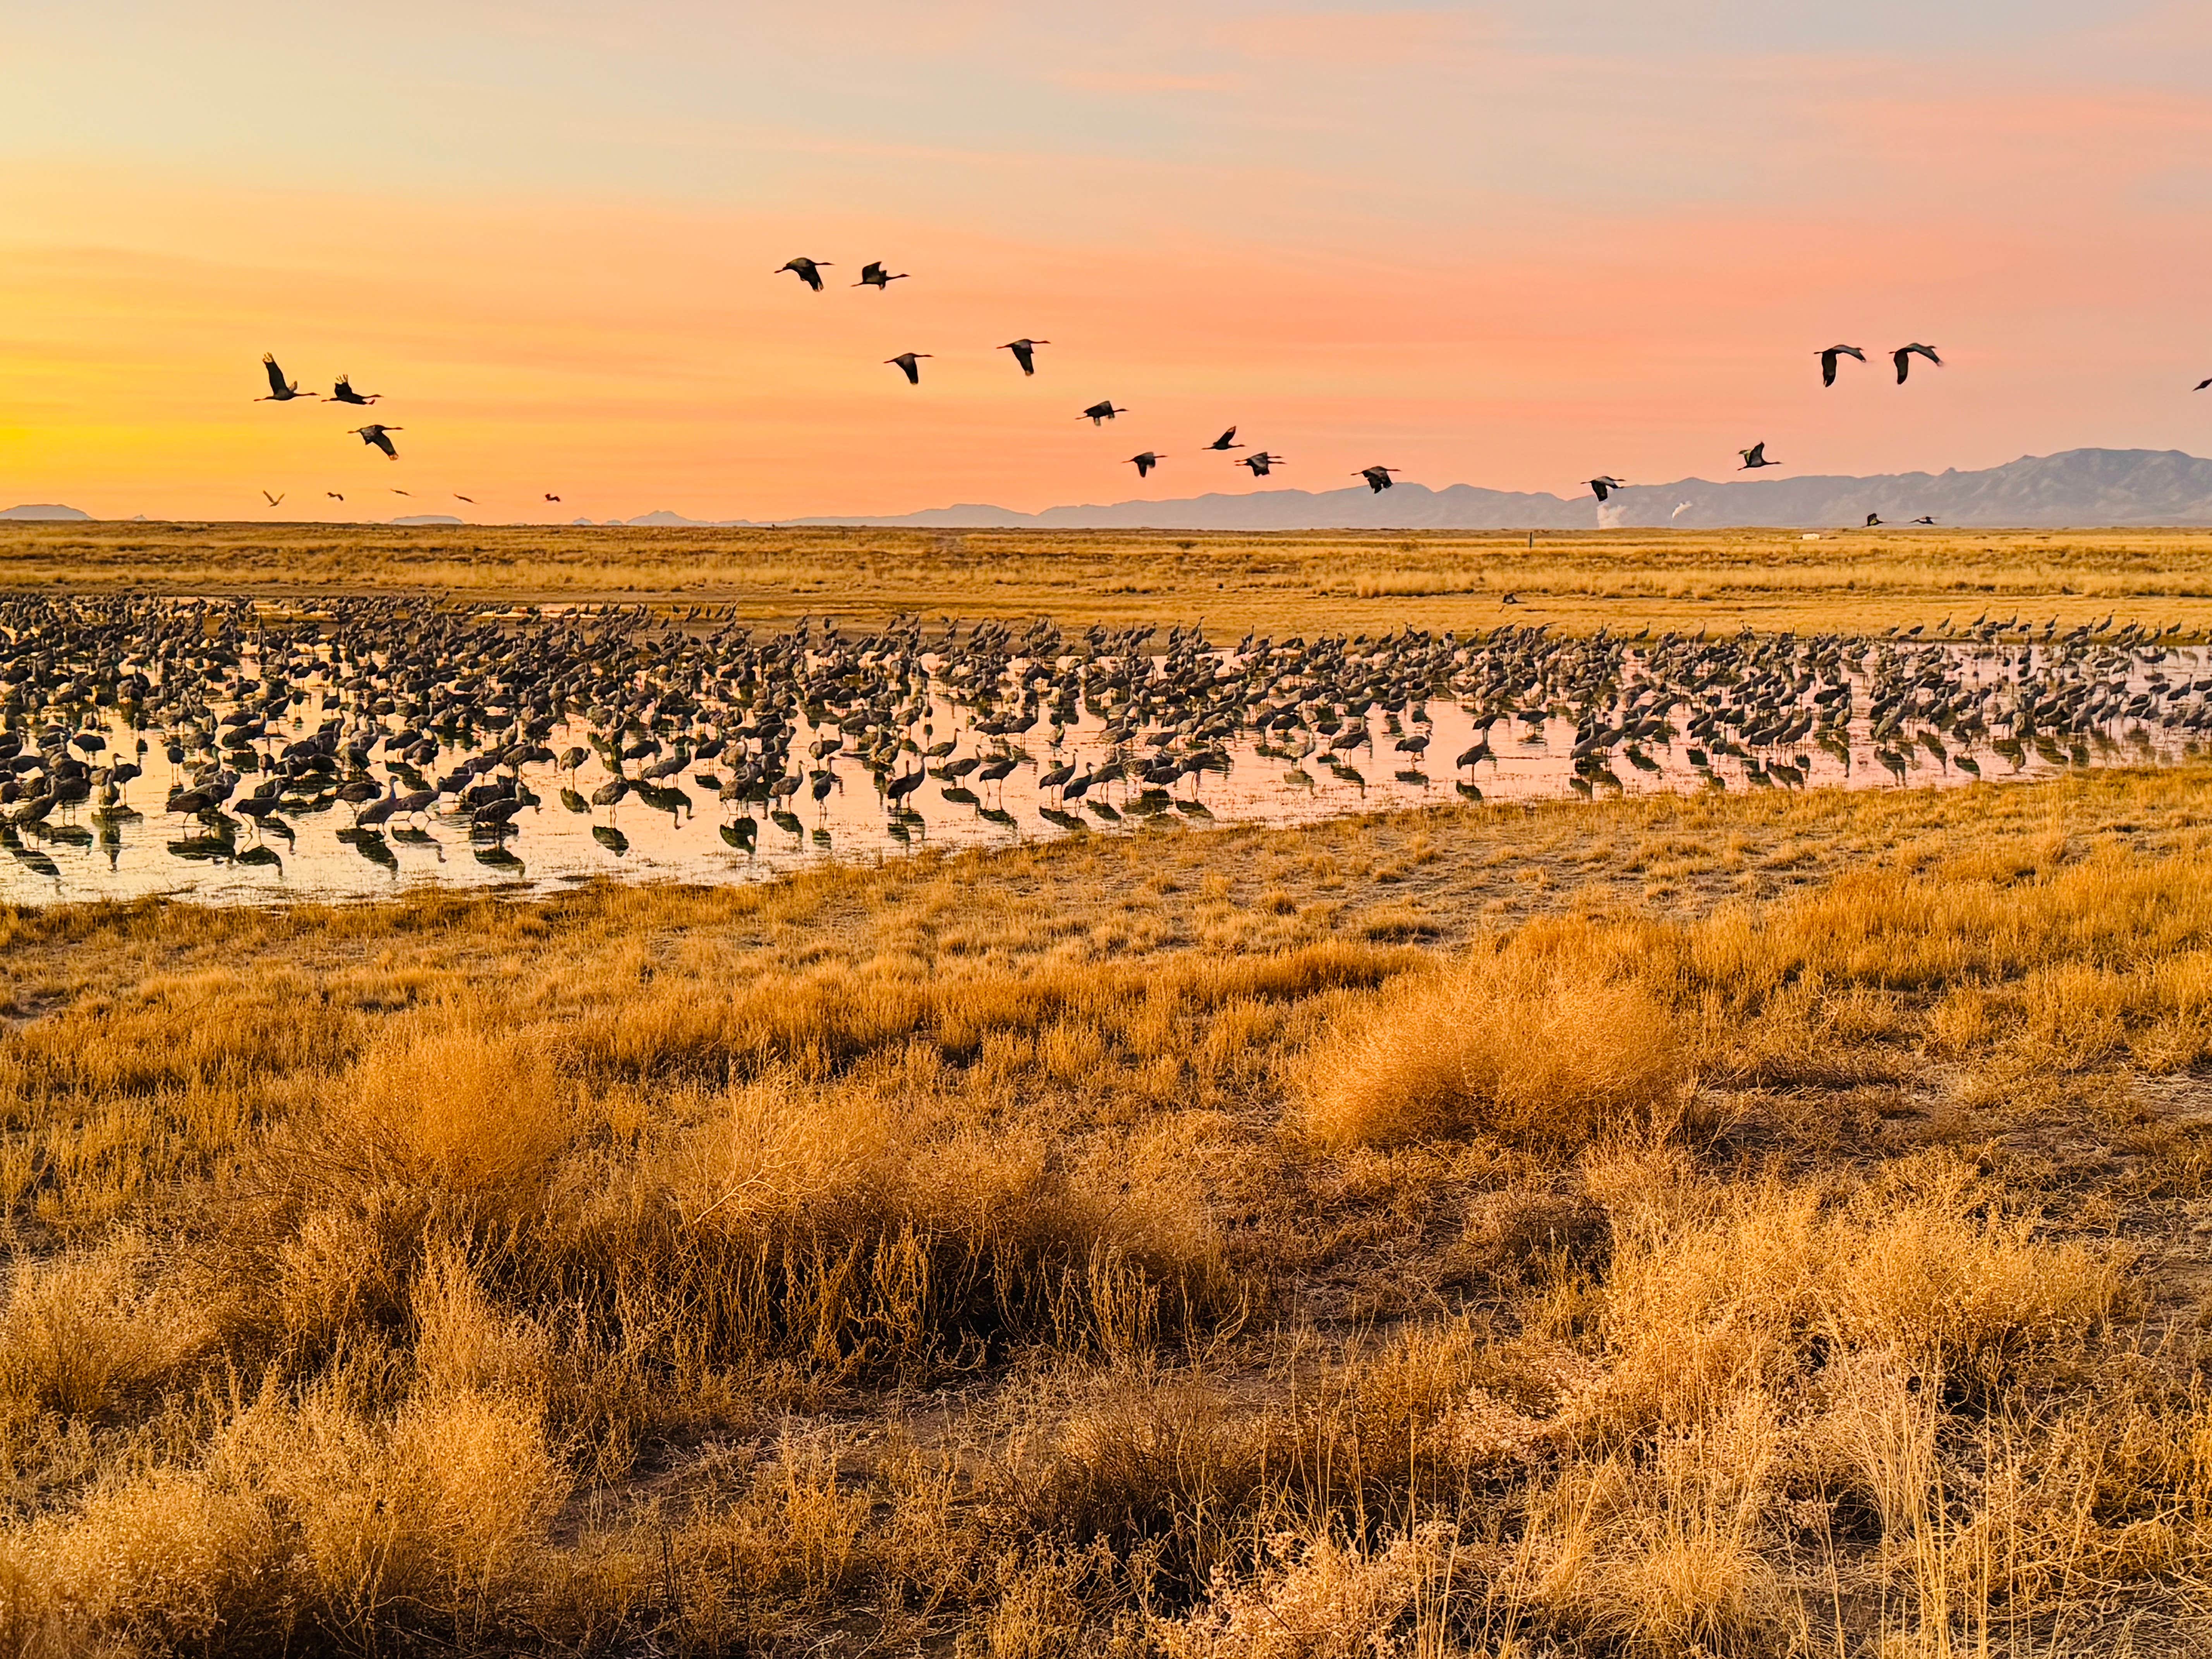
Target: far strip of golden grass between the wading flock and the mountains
1275,583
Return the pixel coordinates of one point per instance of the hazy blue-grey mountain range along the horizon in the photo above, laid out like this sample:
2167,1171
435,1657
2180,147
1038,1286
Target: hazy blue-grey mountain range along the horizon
2078,488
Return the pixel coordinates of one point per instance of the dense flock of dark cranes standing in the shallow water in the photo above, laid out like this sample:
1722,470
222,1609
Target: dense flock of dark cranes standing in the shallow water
406,718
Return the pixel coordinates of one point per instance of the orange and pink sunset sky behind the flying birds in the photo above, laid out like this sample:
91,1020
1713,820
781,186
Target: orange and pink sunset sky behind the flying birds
1507,244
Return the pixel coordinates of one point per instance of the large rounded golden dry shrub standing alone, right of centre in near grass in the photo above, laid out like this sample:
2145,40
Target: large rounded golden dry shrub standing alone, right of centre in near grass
1547,1047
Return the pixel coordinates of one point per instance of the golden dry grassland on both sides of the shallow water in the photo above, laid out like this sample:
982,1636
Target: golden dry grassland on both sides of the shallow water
1653,1229
